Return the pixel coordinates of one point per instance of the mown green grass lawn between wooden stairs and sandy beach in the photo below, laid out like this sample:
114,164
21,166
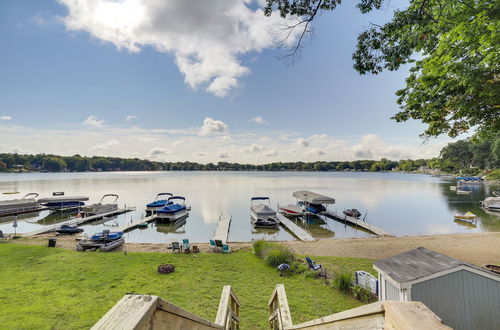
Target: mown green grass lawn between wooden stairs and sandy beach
51,288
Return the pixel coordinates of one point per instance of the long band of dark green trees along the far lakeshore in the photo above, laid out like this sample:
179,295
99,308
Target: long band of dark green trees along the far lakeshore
469,156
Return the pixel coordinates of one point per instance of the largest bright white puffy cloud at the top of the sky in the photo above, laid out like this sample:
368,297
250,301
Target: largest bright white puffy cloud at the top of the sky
206,37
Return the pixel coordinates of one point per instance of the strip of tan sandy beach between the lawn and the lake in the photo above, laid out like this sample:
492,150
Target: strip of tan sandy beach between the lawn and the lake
475,248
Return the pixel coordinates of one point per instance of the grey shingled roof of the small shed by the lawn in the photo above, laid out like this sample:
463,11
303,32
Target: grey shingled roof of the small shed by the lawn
419,263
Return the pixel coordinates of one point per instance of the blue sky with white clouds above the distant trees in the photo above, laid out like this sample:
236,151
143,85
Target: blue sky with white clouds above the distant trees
194,80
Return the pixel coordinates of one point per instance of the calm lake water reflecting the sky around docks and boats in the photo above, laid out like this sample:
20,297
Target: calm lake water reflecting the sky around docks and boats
402,204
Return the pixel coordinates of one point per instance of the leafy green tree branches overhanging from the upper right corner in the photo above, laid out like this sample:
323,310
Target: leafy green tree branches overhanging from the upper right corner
454,85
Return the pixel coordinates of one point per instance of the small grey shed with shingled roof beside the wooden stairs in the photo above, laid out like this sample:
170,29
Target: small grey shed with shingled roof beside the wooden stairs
462,295
